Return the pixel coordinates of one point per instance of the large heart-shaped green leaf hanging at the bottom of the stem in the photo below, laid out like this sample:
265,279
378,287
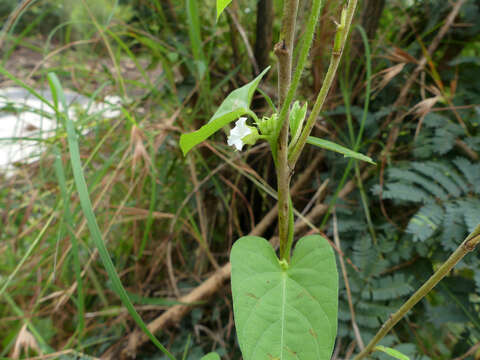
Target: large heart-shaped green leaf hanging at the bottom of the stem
288,314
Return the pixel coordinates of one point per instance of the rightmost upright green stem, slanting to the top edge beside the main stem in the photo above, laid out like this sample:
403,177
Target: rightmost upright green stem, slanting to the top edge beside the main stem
327,84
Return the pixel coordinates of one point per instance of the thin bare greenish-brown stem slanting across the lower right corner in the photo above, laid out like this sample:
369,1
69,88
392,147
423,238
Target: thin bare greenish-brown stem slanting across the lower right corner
467,246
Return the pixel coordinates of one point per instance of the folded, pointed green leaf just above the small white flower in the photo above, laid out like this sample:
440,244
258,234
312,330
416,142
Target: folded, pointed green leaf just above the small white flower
236,104
